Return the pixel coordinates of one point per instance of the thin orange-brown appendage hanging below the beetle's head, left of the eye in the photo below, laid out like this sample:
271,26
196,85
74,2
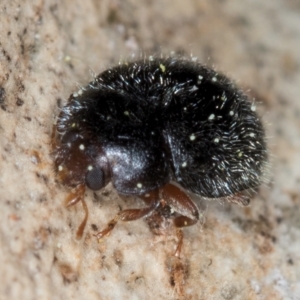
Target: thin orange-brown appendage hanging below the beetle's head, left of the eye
73,198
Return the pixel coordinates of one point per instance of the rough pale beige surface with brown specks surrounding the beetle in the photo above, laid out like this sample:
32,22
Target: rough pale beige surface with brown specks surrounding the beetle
47,49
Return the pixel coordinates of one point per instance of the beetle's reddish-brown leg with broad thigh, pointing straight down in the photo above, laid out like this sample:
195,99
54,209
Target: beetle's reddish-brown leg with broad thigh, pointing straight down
183,205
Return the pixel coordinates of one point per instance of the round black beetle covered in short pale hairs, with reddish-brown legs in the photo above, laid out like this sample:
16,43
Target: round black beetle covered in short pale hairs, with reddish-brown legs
142,125
